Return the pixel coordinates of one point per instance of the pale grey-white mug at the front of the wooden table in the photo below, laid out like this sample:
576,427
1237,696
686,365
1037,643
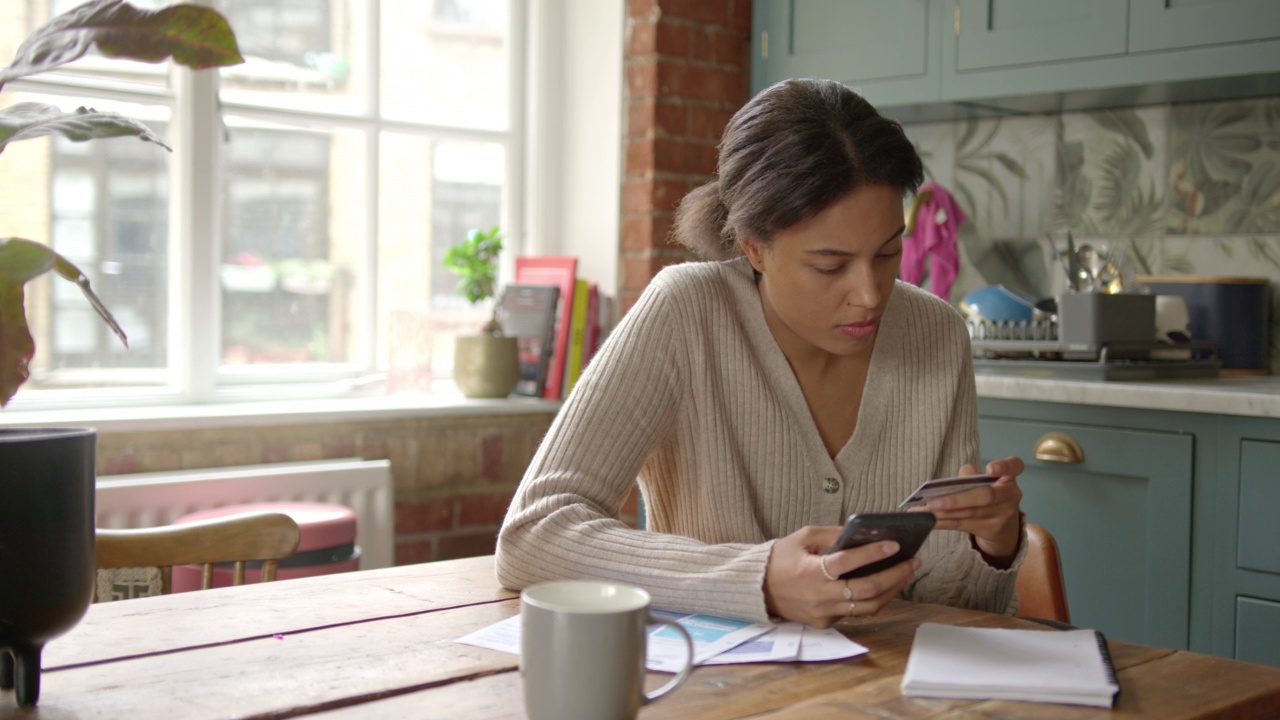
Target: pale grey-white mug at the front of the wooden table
583,651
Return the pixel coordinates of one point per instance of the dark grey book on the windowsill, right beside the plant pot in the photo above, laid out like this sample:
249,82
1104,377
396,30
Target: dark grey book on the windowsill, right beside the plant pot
528,313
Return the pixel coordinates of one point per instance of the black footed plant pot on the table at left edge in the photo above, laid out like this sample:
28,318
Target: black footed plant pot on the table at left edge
47,545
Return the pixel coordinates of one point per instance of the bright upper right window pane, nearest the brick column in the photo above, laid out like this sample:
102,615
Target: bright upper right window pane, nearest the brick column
445,62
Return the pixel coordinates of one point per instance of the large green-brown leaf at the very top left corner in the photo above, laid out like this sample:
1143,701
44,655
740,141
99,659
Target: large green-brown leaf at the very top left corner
194,37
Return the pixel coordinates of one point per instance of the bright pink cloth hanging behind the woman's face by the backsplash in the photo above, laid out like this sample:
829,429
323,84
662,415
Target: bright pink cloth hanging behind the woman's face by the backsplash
934,240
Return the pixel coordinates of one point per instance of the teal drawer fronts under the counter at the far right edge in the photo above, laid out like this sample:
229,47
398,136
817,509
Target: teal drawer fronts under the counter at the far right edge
1247,559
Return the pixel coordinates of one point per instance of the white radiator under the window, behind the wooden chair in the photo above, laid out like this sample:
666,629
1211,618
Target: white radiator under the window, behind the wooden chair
157,499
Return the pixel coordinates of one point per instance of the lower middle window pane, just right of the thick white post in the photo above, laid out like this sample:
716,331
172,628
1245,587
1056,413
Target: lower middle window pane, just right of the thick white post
294,250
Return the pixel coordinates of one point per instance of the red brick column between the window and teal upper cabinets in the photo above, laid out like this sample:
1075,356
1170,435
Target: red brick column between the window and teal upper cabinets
688,70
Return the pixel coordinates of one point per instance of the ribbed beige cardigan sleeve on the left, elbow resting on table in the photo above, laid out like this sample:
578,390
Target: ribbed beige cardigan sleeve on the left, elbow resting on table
564,522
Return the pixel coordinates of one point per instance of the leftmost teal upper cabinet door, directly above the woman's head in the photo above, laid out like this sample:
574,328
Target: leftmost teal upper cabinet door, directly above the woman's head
892,52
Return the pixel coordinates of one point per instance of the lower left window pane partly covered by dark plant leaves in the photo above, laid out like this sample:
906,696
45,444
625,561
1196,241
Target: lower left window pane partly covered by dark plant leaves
104,206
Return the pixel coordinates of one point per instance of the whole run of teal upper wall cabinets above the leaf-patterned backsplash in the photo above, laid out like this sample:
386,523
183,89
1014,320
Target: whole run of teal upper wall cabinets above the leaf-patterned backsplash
936,60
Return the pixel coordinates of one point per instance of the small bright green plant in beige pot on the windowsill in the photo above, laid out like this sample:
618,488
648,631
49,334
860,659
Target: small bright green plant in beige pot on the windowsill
486,364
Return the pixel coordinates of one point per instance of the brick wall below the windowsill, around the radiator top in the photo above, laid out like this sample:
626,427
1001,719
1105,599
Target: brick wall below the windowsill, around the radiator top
454,476
